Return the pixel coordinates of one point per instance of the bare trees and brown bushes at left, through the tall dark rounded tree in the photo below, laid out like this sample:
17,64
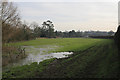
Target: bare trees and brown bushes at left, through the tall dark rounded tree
13,29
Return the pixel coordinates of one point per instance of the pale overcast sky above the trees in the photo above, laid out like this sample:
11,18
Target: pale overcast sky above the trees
102,16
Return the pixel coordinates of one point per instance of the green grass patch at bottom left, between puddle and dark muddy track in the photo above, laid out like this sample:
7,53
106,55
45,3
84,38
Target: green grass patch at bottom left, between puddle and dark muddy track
27,71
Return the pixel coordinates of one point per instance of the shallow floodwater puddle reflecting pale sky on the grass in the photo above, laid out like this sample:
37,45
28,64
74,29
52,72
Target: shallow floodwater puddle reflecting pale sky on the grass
38,54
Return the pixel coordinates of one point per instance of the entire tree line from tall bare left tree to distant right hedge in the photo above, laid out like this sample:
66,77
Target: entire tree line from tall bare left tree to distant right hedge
13,29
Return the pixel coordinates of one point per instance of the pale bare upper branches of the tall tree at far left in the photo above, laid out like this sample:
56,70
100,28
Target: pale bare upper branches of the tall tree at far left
9,14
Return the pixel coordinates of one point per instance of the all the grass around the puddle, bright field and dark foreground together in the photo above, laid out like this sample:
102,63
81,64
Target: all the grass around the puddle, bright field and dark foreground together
92,58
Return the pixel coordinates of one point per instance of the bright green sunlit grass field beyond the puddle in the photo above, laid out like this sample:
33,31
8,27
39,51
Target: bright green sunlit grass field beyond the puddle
65,44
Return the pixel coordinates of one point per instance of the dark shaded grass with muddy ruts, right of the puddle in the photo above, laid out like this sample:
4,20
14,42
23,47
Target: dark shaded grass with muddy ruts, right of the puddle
100,61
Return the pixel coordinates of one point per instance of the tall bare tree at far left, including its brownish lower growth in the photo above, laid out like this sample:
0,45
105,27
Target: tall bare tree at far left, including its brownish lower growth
10,20
